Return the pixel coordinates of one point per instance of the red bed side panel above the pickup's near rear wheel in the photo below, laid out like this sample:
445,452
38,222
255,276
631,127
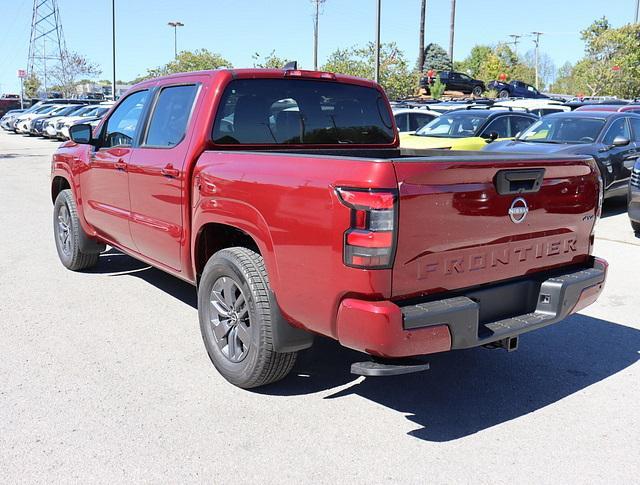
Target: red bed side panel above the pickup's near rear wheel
287,204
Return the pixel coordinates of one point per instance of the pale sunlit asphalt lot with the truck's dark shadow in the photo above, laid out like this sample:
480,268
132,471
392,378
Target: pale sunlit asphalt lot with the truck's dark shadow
104,378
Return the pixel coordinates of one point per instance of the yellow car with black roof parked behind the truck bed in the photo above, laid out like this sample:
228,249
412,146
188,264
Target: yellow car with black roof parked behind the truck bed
468,129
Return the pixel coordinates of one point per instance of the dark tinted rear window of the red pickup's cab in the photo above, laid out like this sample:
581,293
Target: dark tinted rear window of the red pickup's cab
301,111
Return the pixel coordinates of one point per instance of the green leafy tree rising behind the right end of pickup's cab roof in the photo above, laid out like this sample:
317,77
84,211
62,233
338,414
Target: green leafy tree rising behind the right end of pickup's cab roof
395,76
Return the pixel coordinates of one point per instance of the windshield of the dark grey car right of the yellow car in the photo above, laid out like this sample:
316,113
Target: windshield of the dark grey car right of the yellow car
563,129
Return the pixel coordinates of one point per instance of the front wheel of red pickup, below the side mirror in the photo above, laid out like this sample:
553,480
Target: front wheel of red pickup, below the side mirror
65,215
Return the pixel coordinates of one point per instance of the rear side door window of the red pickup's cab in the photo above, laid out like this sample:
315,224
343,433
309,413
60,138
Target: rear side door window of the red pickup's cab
170,116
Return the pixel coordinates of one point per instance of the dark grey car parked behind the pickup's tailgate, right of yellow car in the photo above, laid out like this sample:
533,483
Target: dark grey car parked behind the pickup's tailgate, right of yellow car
611,138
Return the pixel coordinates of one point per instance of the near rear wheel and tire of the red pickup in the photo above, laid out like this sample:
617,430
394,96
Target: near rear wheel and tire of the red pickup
244,331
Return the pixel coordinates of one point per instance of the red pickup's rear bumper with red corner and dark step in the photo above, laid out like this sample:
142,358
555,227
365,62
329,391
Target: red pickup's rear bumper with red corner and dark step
388,330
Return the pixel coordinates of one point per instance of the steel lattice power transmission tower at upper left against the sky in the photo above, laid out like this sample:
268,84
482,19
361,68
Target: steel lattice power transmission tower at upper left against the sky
46,46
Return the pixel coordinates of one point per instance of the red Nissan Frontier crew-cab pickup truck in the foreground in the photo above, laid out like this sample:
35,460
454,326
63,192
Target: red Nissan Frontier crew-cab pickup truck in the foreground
283,196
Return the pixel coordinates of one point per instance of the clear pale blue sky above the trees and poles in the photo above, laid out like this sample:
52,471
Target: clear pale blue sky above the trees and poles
238,28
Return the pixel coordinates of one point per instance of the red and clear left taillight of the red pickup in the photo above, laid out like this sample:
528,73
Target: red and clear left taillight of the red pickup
370,240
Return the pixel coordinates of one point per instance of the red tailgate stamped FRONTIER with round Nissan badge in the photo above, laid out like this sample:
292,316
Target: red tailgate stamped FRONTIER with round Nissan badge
467,221
